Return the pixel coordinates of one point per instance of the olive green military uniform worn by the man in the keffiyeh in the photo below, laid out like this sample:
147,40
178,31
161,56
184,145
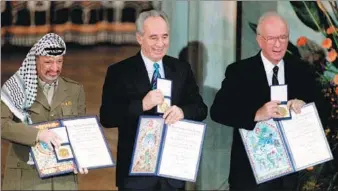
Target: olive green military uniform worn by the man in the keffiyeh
68,101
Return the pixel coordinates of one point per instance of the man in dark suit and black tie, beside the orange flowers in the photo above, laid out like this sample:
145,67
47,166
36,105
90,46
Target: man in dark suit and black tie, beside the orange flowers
244,98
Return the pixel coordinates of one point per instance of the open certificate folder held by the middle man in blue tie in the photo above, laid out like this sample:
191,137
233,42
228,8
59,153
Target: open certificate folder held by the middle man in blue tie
171,151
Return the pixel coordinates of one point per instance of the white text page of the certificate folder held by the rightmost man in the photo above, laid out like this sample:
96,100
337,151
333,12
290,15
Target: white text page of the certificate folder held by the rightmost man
306,138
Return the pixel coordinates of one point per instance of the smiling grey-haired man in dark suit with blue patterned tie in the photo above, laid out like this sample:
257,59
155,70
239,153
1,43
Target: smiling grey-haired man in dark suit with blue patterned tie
127,94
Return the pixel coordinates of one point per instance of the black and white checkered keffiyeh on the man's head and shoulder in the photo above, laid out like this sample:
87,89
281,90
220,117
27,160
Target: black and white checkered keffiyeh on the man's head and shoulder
20,90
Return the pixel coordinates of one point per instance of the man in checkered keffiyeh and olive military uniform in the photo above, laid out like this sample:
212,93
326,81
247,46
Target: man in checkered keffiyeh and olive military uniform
37,93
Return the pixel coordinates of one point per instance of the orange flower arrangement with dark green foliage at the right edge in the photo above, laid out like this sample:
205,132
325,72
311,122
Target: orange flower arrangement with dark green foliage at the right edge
323,60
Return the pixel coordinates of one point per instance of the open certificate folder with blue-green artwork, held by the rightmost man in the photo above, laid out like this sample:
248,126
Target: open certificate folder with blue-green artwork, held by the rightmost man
278,148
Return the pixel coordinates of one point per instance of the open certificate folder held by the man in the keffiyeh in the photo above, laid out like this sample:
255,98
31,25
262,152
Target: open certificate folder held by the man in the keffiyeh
82,145
